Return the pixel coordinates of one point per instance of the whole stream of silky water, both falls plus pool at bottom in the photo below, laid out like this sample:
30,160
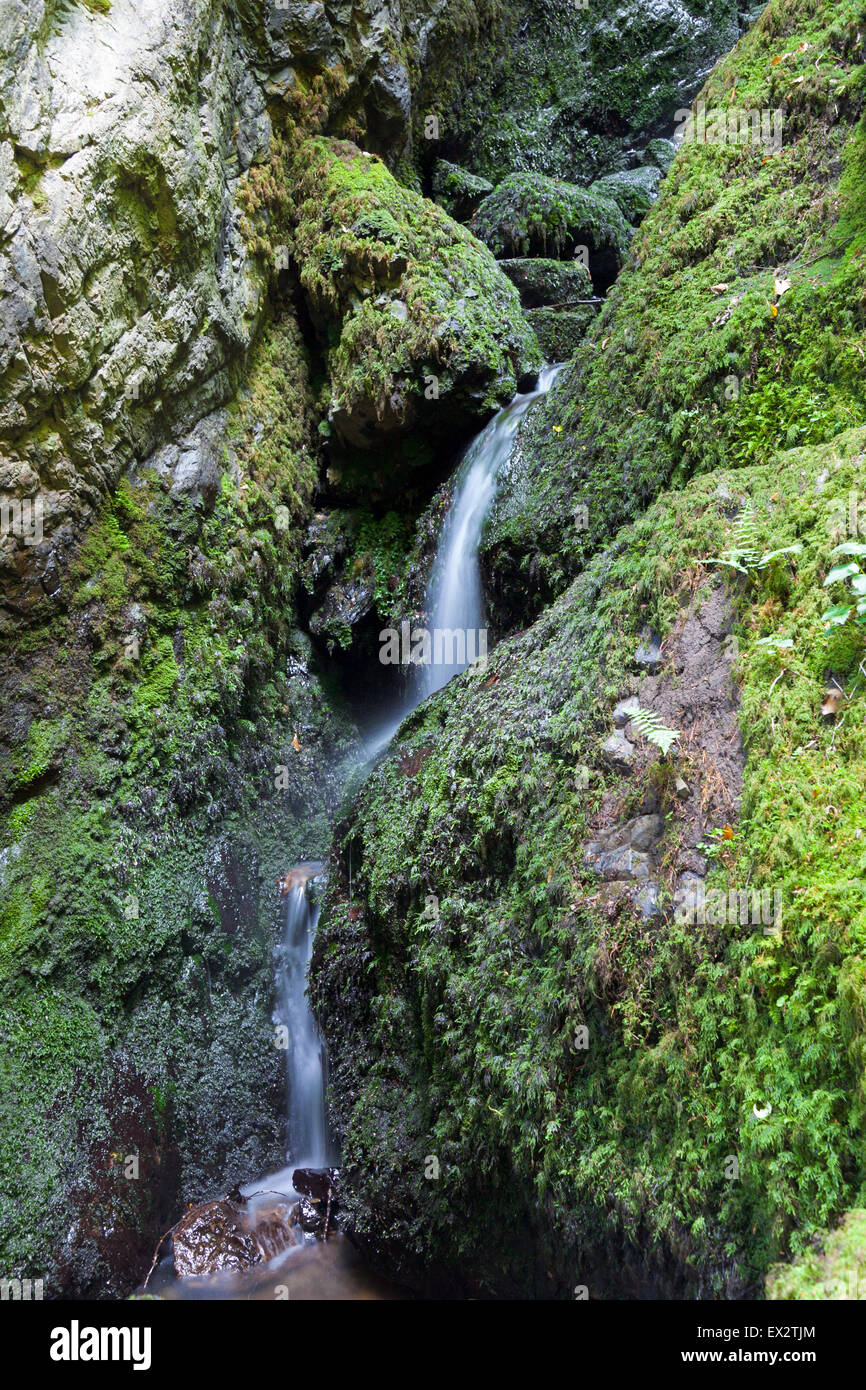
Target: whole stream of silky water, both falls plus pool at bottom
333,1270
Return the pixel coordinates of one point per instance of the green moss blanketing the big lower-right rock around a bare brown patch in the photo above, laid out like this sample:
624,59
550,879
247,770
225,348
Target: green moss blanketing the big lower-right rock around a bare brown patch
452,975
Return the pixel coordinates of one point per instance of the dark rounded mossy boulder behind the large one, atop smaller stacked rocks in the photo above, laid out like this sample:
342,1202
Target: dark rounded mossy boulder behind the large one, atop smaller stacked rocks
536,216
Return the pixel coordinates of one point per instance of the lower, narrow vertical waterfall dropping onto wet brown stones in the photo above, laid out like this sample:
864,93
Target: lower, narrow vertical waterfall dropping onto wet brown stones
307,1128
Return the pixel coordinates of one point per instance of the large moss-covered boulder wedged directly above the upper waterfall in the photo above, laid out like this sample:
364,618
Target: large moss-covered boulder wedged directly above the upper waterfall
420,327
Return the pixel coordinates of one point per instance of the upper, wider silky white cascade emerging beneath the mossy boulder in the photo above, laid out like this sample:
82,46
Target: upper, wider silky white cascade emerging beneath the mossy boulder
455,601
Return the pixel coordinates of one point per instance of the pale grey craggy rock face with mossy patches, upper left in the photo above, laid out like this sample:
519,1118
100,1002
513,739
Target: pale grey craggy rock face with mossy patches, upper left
127,293
